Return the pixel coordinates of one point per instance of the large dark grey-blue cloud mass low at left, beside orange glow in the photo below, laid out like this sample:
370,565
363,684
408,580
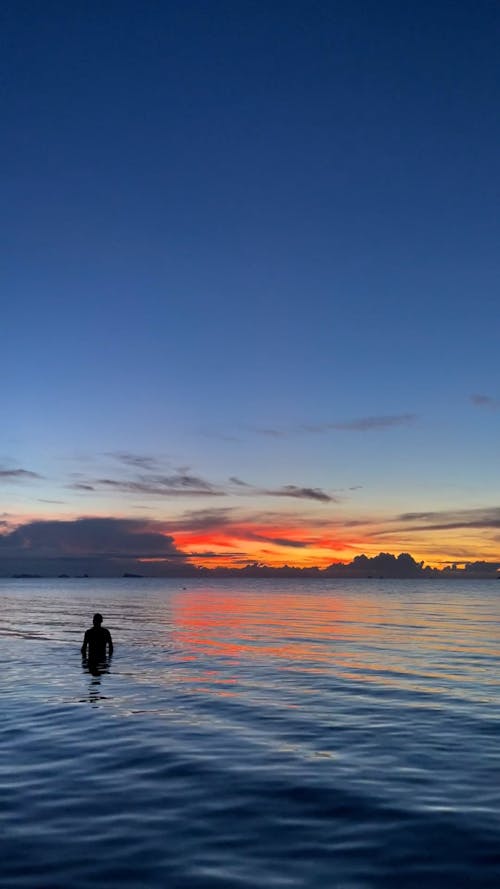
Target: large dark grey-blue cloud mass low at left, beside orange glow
104,545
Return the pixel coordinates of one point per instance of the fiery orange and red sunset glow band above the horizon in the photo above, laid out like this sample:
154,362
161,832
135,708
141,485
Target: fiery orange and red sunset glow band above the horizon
230,538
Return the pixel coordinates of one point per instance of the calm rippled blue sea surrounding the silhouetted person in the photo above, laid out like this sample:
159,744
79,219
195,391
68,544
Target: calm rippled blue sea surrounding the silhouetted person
251,734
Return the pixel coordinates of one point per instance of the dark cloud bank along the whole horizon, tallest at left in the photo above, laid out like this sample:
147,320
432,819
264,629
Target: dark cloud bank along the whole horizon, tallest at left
109,547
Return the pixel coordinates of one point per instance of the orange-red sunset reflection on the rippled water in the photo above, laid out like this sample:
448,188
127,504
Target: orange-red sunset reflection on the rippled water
386,639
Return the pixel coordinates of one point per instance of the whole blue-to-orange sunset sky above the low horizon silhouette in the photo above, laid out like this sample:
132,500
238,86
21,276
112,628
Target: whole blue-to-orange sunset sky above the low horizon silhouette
249,281
